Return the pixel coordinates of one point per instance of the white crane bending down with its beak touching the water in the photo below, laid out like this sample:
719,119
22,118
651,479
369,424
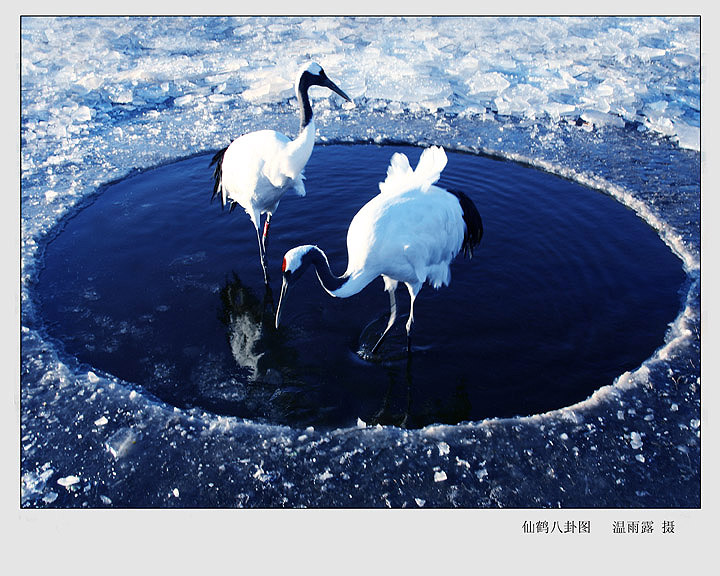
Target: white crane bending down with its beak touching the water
408,233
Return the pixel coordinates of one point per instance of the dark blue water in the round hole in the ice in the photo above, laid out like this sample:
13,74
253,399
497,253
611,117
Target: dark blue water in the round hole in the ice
153,283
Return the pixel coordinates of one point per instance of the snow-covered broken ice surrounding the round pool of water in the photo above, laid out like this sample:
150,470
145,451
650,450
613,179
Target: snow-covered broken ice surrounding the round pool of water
613,103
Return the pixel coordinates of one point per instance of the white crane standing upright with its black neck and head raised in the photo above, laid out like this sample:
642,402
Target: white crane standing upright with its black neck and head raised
256,169
